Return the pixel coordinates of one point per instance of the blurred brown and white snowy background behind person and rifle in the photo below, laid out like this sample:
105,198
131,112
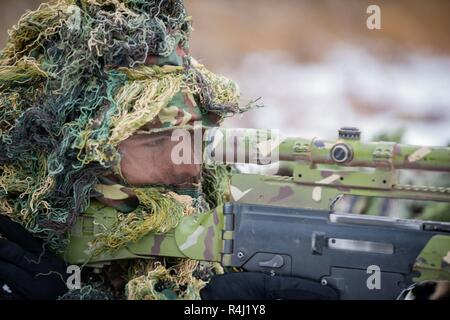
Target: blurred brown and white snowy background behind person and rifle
316,66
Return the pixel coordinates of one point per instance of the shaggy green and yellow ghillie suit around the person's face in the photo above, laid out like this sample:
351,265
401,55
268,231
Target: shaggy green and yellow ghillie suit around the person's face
77,77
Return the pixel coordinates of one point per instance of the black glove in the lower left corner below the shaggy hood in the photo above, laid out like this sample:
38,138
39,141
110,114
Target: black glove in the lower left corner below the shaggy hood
27,270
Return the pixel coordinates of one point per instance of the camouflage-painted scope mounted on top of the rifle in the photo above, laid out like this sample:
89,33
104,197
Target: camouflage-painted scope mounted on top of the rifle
266,146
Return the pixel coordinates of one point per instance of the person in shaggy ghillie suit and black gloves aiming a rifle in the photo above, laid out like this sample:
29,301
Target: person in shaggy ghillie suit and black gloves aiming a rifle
90,92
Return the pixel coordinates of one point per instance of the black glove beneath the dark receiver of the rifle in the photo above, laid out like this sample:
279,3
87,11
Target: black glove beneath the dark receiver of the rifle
259,286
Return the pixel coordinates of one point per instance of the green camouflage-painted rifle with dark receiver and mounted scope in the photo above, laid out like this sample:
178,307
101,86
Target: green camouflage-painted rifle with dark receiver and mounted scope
283,223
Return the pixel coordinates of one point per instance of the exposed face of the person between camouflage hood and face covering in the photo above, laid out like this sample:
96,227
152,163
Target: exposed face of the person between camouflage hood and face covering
147,159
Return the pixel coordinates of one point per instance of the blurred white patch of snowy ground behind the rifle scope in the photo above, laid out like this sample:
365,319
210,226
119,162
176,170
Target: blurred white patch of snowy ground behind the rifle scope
350,87
